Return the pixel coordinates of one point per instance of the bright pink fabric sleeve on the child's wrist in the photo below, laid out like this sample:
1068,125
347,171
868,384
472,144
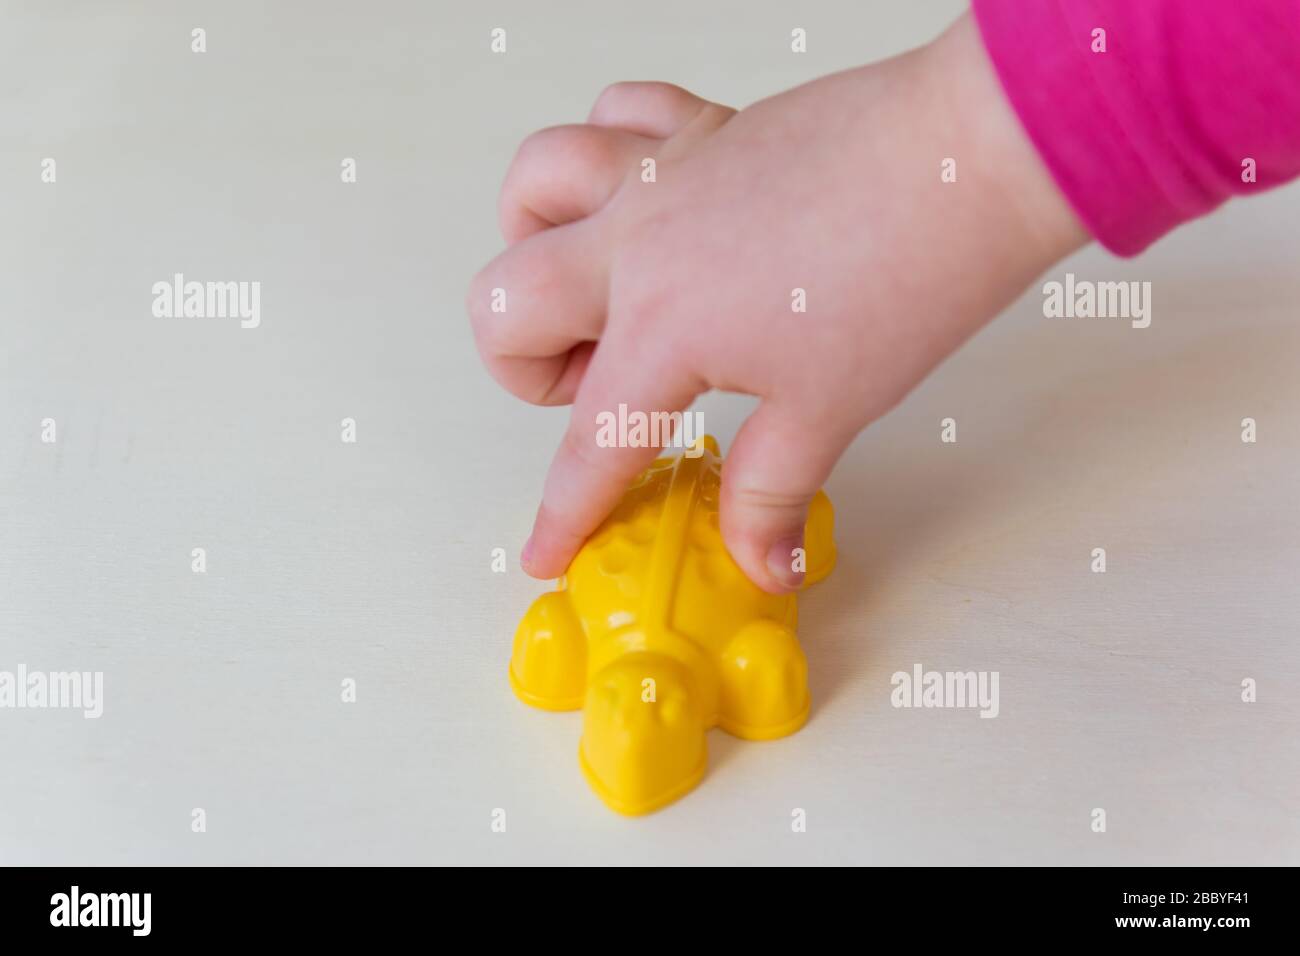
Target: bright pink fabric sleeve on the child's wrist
1159,128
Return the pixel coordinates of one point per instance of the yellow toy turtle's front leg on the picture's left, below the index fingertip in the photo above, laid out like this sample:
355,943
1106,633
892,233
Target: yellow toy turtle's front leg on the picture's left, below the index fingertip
548,668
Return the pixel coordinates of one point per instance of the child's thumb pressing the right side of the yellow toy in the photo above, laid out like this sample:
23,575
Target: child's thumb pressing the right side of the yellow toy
775,468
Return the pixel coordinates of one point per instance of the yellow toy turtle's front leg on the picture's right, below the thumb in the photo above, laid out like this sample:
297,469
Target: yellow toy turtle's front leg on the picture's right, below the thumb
765,689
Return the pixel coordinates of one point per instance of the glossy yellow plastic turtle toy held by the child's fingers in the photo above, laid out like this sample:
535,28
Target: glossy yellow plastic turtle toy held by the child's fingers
658,635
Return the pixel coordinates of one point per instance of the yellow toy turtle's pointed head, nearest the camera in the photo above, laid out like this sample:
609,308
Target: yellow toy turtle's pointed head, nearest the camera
643,733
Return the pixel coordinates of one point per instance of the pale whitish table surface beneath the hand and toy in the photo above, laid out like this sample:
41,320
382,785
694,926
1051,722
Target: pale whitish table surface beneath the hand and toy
372,561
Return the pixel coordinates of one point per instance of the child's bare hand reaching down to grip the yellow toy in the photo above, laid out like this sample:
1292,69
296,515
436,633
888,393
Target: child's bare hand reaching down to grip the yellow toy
651,293
